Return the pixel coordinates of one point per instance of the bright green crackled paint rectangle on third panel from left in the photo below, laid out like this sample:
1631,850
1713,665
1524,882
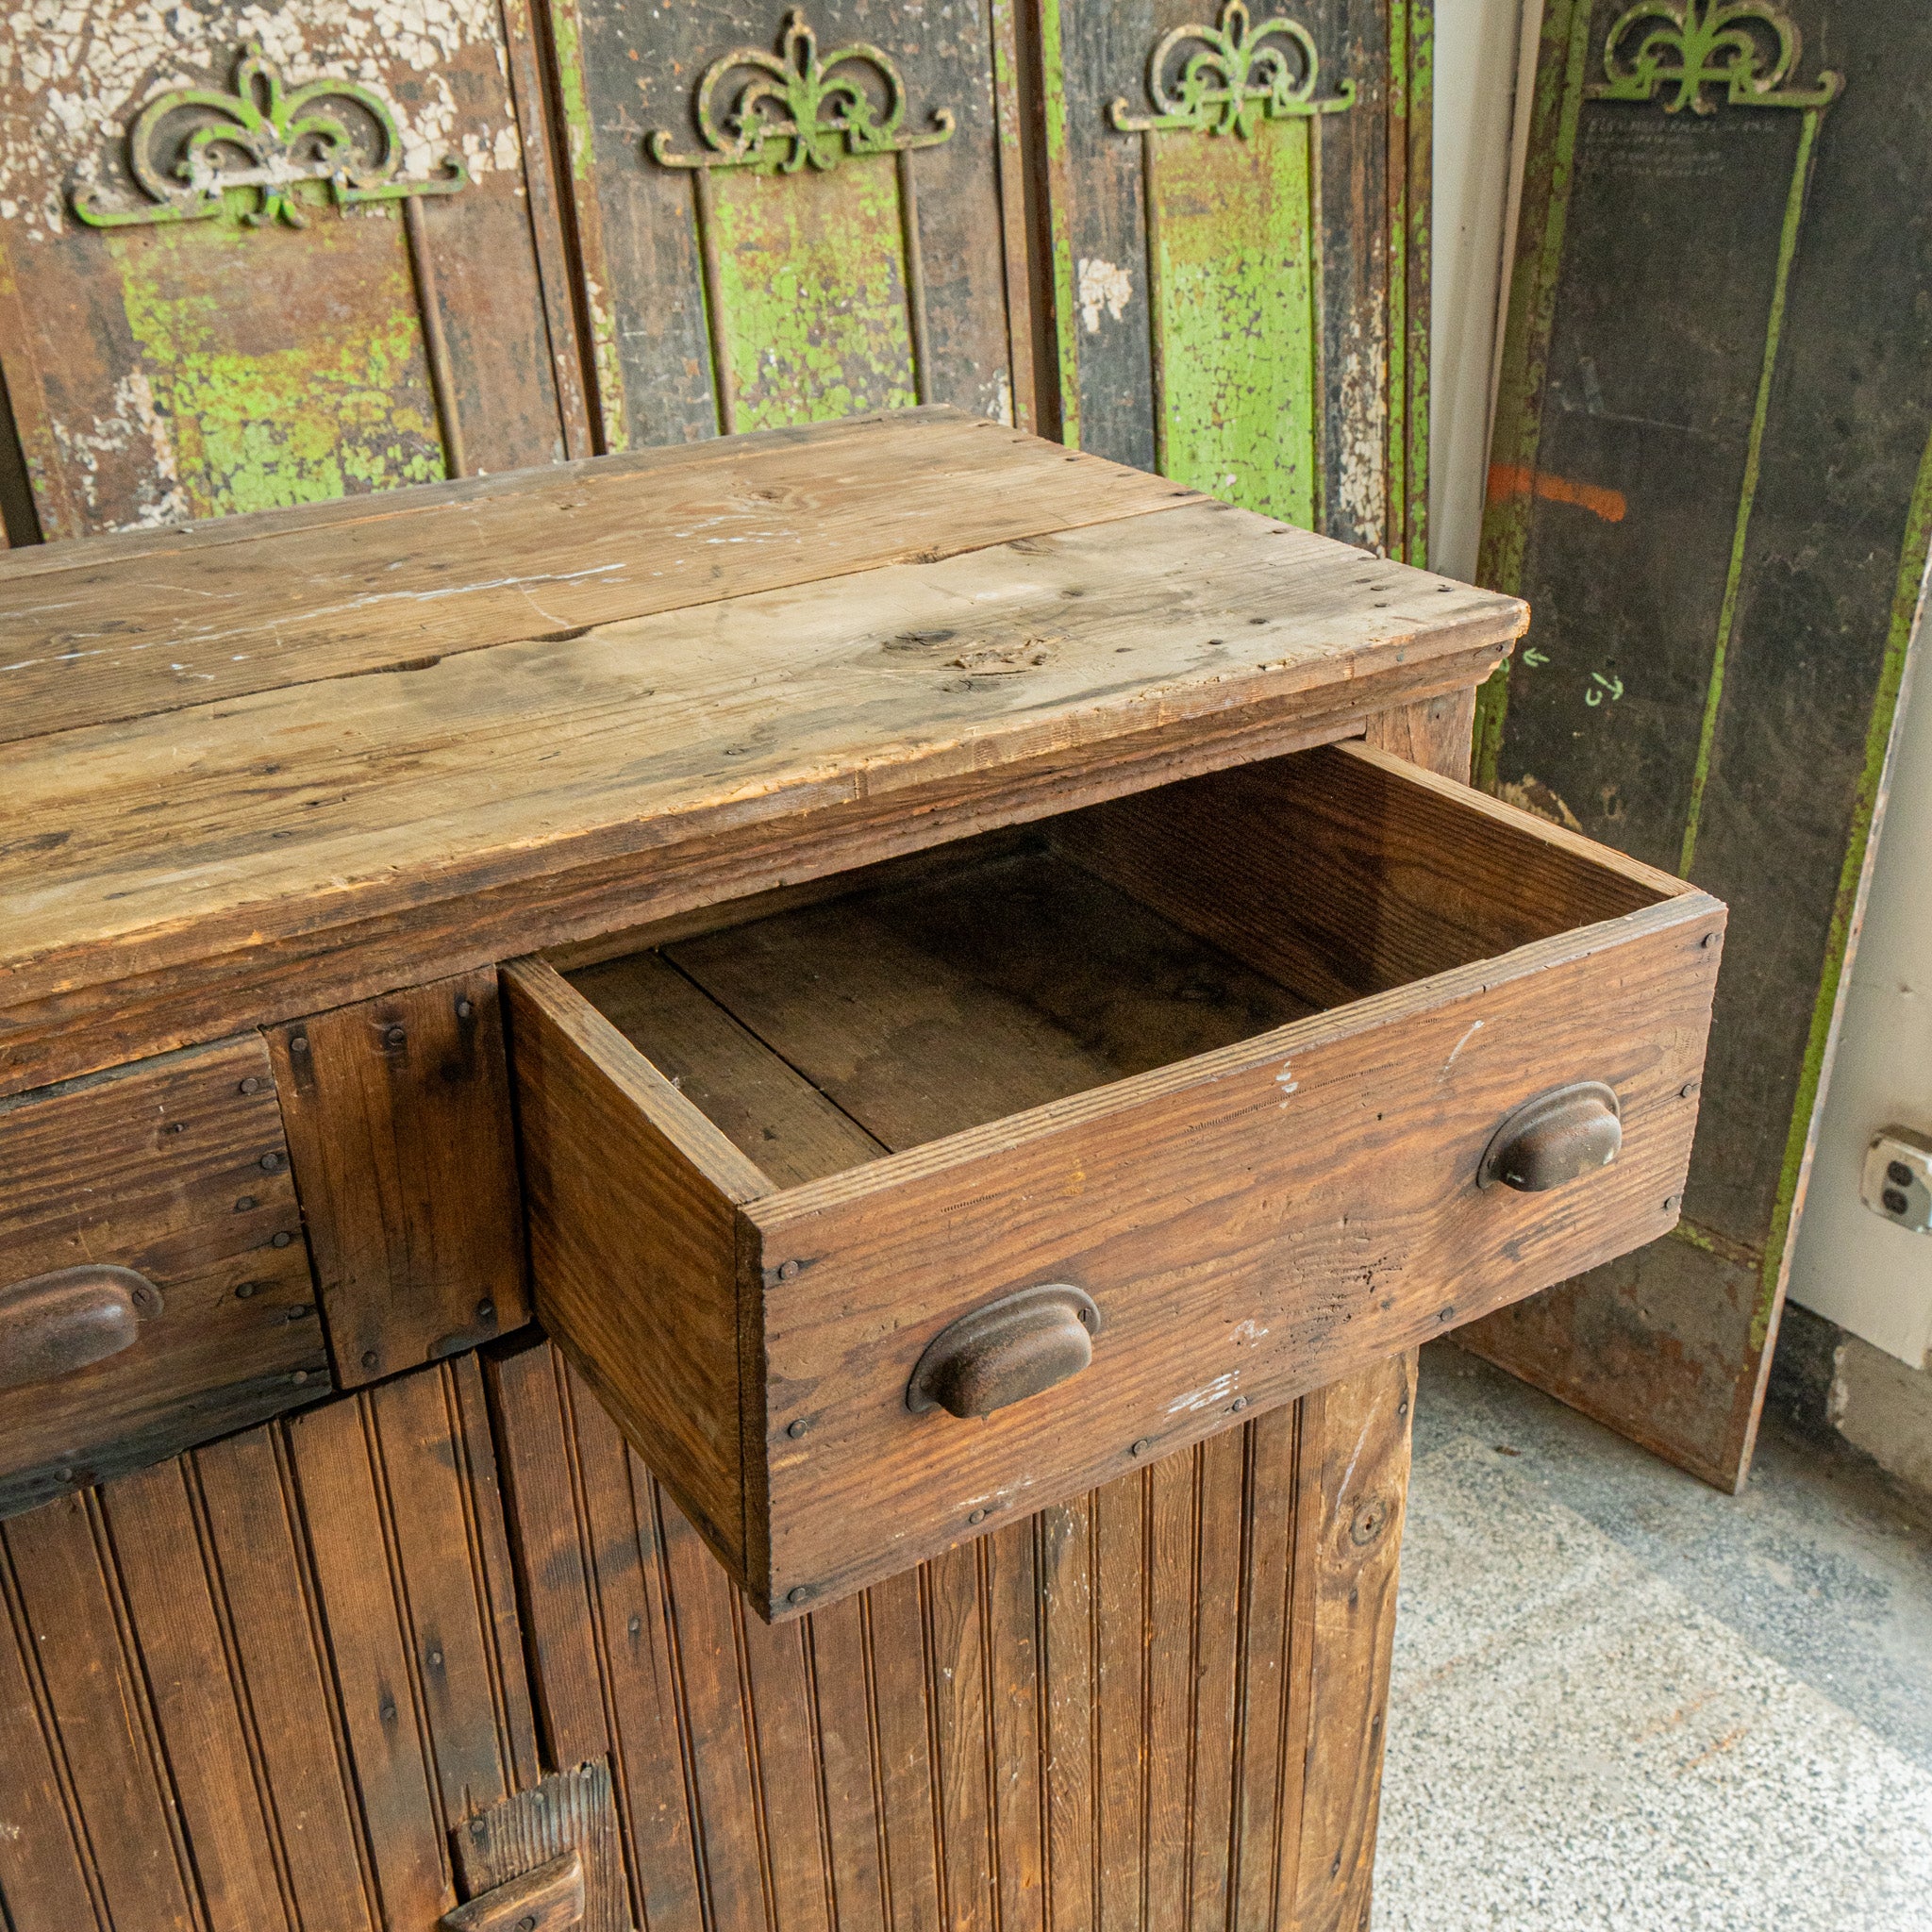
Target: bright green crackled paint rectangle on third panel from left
1234,291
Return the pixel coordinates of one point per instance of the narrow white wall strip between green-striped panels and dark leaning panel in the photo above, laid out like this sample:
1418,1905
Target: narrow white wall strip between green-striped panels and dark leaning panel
1477,59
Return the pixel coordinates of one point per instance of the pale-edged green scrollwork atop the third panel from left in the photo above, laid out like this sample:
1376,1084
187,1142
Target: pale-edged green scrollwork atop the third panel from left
1236,76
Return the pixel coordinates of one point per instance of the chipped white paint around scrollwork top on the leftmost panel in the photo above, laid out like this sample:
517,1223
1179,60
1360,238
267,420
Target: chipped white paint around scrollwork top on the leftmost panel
76,72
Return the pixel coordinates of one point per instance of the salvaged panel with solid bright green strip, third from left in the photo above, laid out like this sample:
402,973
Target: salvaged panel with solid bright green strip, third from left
1239,213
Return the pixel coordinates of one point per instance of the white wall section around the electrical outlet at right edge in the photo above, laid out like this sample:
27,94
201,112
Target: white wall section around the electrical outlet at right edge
1852,1266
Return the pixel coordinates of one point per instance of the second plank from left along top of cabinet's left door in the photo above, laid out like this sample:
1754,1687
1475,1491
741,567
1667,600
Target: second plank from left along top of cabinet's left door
198,1699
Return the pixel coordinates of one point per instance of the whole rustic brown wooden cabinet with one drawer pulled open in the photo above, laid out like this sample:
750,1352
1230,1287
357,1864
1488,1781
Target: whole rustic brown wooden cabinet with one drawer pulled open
915,648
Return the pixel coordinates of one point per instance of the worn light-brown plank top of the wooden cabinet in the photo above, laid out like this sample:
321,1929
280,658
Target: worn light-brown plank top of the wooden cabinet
268,764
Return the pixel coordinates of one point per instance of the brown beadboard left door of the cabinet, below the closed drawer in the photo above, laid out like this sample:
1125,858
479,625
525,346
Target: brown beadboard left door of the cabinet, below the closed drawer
256,1690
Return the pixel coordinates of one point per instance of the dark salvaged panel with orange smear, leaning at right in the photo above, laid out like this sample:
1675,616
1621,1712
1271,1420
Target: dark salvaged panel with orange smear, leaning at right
1711,480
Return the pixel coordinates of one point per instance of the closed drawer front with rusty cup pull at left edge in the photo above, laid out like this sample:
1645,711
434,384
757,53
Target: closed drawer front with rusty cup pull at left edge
177,1172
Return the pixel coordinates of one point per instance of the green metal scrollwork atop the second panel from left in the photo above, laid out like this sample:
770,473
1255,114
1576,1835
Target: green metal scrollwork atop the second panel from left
799,109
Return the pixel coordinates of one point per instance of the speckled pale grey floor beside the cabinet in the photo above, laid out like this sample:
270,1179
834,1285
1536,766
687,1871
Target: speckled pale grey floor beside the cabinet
1624,1703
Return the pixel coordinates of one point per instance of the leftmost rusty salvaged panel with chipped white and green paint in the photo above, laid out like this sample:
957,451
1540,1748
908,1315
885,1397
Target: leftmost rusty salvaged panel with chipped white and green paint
252,262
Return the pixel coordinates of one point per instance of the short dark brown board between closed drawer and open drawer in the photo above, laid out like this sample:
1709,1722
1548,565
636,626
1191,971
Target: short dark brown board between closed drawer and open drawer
399,1122
